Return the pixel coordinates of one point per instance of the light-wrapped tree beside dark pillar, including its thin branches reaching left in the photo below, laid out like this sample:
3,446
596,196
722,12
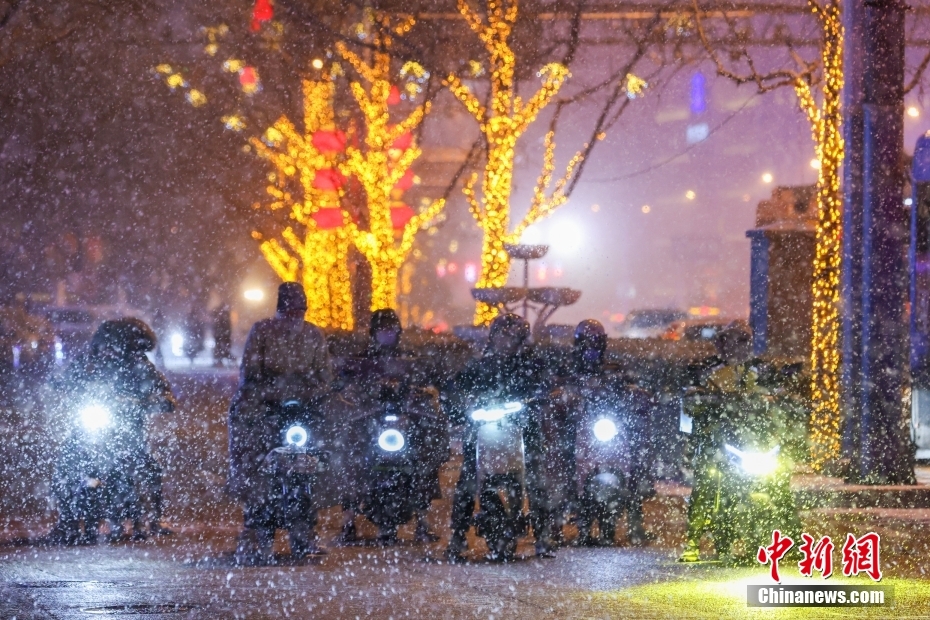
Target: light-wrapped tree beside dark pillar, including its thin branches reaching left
825,75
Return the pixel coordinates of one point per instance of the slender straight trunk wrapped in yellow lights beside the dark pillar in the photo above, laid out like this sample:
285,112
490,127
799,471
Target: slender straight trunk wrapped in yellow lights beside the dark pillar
825,123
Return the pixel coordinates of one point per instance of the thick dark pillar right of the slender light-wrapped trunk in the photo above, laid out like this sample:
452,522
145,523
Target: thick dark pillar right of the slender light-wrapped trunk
884,455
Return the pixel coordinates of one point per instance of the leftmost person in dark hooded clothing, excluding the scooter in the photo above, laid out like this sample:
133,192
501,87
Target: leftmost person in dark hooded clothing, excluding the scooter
116,371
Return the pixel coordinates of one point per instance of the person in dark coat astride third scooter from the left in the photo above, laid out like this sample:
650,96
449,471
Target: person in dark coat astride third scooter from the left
386,364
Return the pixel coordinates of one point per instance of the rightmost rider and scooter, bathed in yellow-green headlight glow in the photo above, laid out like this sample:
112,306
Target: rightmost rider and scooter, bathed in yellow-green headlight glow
744,433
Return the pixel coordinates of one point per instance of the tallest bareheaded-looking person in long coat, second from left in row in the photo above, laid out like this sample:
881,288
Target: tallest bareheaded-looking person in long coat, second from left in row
285,357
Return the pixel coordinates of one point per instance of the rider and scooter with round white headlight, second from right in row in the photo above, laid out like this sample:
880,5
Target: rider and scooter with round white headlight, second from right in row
608,447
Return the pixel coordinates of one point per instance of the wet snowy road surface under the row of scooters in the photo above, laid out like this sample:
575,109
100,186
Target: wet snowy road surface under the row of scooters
191,574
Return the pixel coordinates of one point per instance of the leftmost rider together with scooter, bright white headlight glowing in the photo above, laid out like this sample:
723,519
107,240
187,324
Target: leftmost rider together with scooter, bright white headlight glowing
105,466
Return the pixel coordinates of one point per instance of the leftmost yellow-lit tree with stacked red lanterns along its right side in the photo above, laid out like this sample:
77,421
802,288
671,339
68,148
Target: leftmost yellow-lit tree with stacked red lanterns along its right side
313,248
